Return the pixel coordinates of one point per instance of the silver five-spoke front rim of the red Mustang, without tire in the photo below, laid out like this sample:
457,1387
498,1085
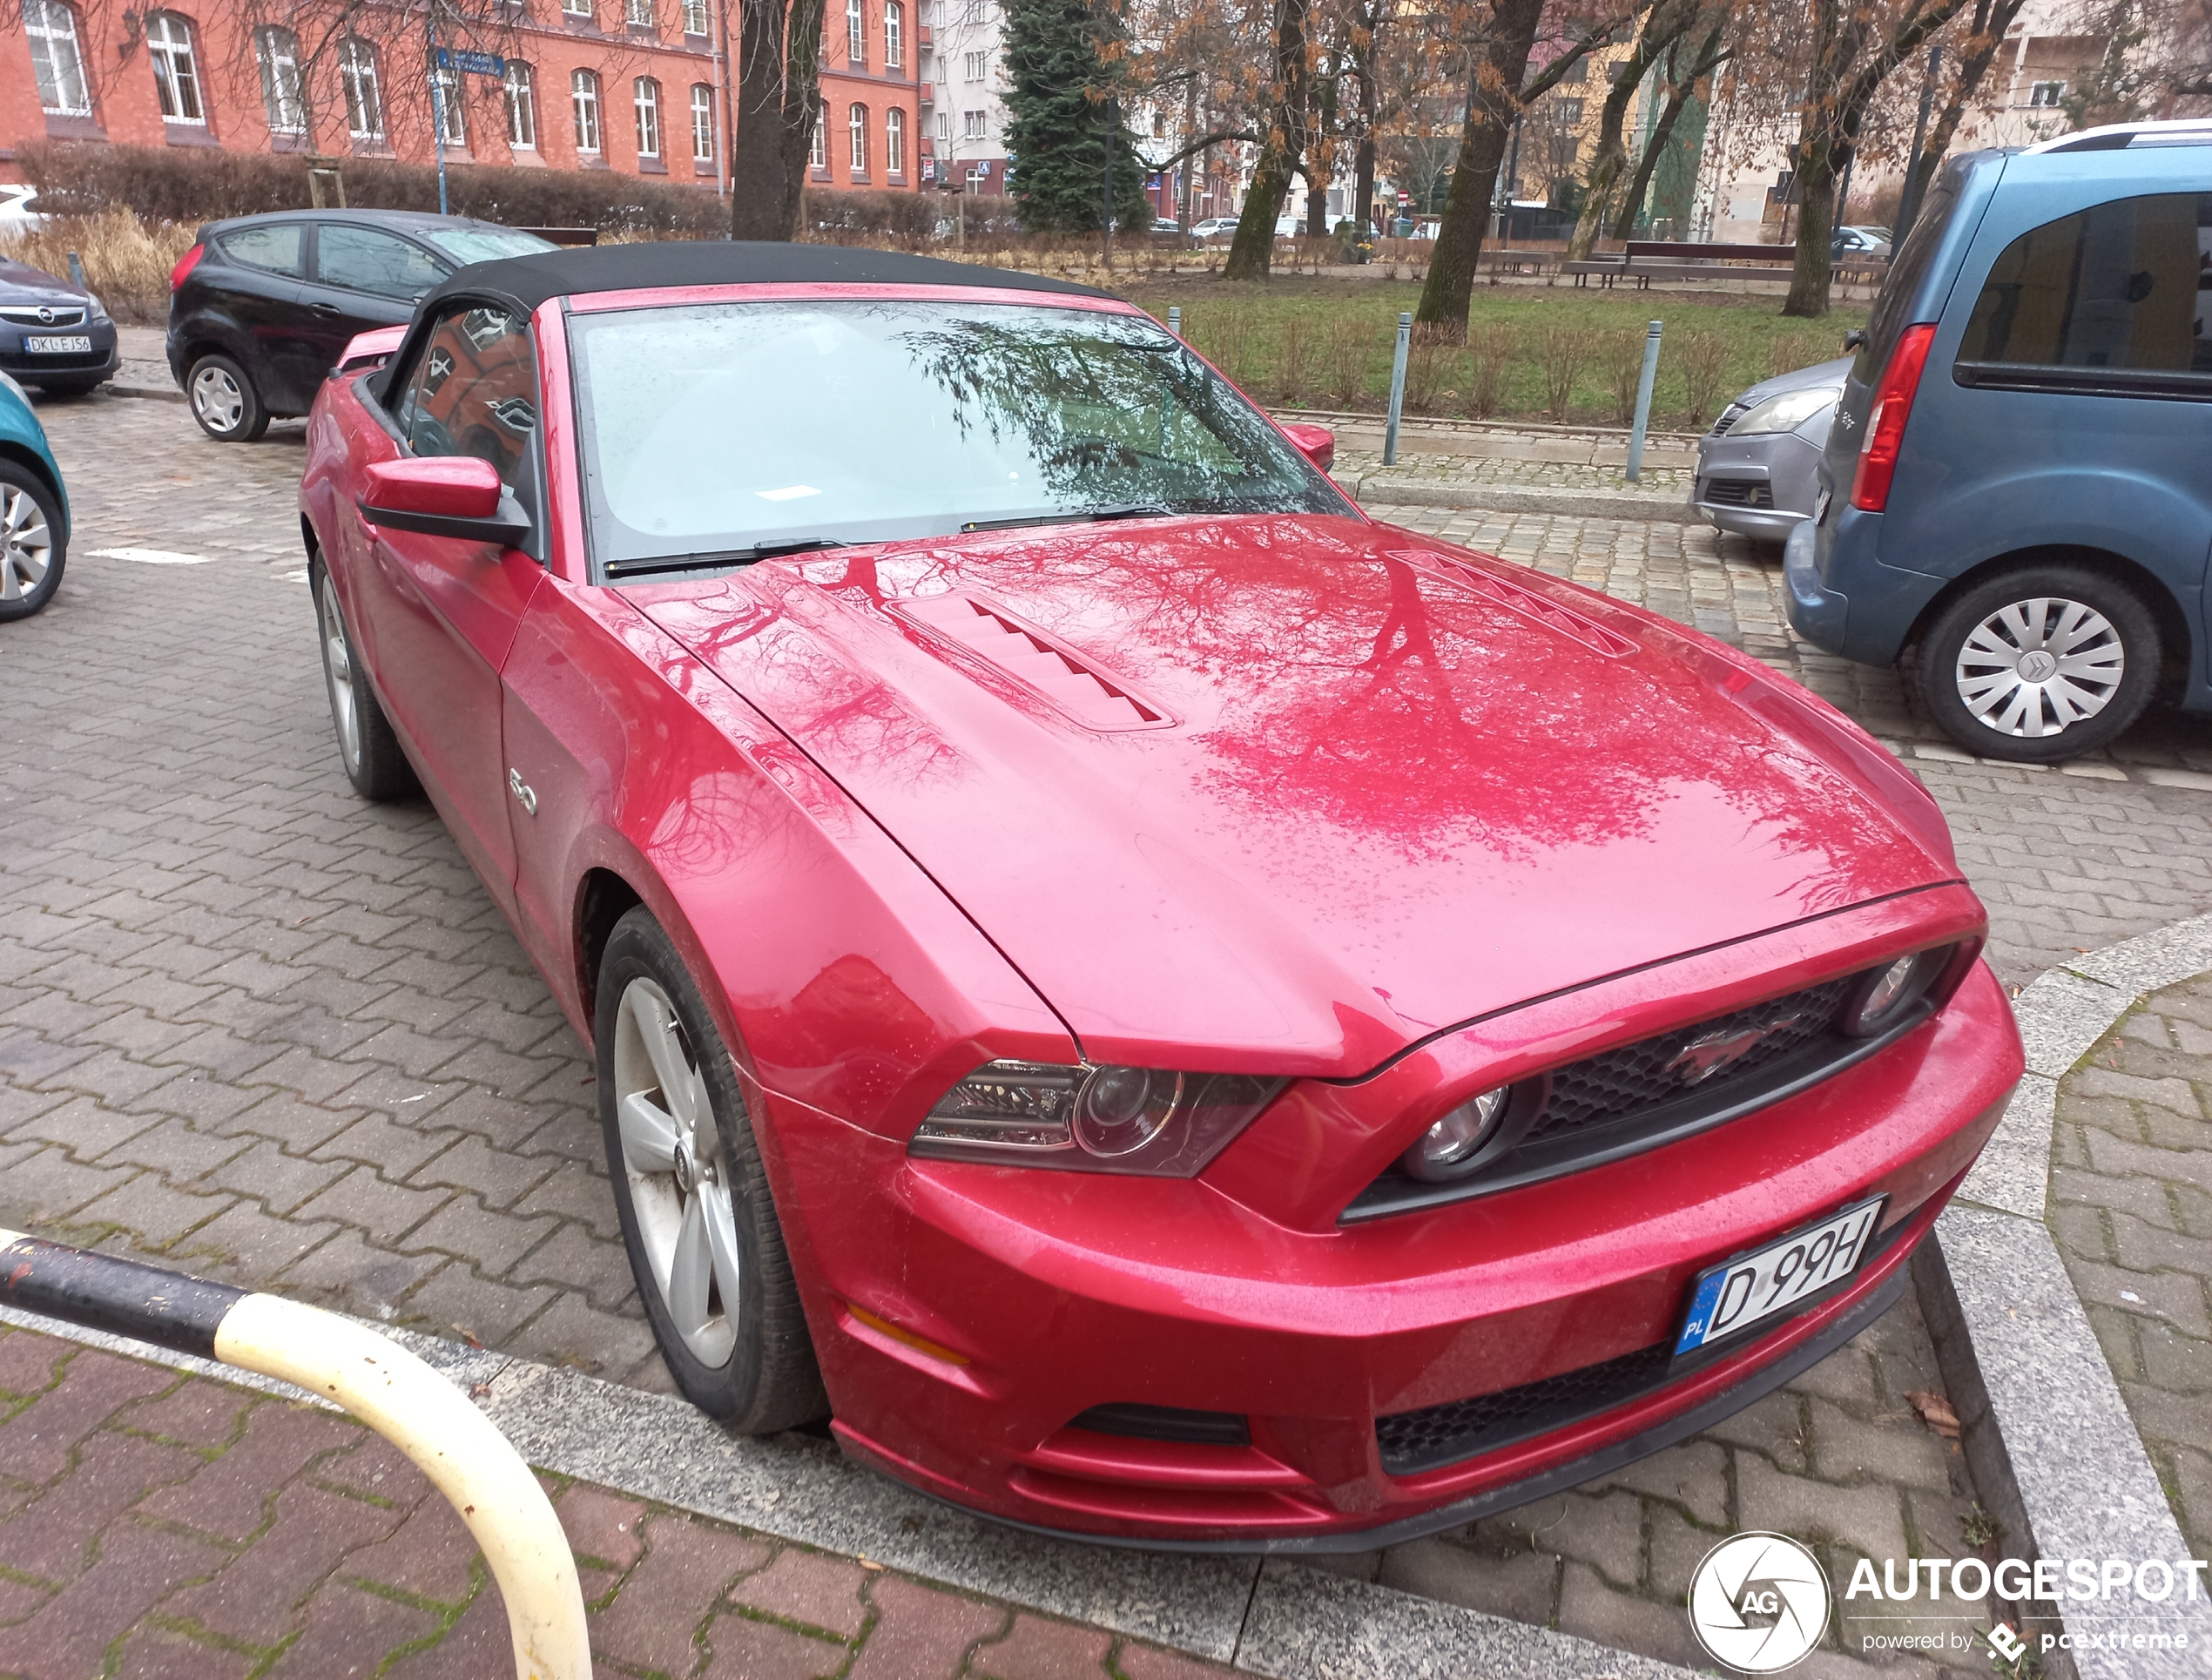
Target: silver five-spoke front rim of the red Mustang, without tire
678,1174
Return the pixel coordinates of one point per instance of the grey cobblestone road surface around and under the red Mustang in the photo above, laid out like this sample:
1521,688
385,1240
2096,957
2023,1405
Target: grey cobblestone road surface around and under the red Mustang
280,1037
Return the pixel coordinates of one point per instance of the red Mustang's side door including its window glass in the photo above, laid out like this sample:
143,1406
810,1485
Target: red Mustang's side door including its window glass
444,612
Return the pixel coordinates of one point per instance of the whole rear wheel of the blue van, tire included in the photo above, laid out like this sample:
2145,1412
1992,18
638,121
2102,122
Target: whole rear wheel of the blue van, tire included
1992,685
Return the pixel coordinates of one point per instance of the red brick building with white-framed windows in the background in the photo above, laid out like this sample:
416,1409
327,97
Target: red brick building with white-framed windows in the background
620,85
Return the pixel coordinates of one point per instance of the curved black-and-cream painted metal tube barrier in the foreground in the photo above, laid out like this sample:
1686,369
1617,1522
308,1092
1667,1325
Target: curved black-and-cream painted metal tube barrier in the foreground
379,1382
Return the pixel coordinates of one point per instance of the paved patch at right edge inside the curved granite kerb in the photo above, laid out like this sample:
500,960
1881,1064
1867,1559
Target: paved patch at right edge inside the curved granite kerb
2131,1205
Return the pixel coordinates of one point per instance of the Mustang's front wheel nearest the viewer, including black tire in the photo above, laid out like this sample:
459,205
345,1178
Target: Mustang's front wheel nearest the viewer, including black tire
693,1199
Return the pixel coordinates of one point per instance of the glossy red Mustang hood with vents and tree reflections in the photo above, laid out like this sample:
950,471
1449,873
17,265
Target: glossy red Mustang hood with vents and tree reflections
1291,794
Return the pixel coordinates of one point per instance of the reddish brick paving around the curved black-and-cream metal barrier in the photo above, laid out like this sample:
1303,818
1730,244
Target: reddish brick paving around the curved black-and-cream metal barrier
171,1528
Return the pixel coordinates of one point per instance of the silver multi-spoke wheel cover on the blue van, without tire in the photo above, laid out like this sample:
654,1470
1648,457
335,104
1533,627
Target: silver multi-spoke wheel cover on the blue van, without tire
2036,667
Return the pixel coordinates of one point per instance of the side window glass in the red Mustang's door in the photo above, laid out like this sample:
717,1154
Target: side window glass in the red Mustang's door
474,393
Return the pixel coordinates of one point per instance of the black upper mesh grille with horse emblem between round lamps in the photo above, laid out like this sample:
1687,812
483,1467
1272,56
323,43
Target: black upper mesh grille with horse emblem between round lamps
1623,1083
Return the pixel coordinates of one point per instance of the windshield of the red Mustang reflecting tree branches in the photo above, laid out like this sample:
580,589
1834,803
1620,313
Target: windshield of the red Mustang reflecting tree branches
731,428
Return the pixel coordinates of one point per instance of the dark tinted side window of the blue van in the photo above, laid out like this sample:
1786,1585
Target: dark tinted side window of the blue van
2111,287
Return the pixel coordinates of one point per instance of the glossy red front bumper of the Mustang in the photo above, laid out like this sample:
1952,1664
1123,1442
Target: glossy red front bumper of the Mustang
963,1314
